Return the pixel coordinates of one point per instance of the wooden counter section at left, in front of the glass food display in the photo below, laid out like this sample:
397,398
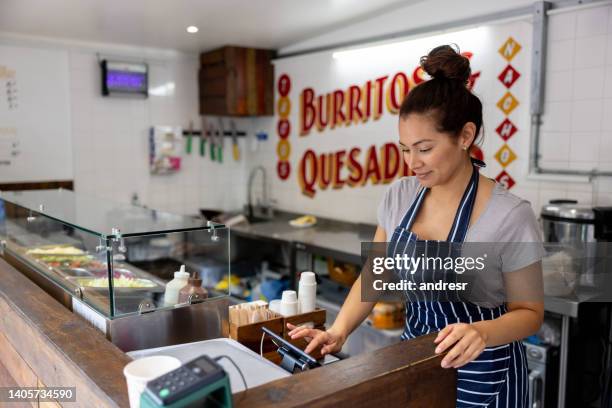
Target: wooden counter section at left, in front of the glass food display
42,342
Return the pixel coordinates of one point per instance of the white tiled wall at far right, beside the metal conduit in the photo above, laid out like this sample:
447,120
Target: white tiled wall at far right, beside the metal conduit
577,120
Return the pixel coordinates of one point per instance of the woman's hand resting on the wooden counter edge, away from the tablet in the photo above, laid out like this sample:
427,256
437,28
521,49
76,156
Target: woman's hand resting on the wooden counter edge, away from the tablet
467,343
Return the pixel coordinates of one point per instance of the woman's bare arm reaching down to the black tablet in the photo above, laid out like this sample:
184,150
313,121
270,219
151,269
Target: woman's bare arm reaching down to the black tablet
352,313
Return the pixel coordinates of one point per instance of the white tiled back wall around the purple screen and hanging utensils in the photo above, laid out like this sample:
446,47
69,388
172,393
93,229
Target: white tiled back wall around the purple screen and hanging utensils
110,139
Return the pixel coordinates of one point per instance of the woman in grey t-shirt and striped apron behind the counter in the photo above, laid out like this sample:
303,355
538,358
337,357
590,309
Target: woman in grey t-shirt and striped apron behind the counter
448,200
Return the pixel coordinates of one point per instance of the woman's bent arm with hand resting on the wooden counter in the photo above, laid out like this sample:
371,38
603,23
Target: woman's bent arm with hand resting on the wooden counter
524,291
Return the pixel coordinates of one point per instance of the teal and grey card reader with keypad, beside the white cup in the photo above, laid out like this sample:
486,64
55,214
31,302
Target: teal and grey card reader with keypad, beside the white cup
199,383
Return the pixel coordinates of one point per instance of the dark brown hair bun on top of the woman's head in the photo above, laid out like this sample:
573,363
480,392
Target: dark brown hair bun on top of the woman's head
444,62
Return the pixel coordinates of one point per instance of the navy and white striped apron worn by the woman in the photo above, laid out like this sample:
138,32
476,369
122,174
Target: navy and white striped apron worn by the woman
498,377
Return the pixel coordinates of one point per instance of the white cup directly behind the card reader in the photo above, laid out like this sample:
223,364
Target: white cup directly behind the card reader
139,372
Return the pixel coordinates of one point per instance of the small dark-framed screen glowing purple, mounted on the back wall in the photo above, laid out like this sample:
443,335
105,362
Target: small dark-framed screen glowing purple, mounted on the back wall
124,78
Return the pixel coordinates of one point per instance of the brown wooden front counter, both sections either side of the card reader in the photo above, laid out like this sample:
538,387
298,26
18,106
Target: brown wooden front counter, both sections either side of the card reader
42,342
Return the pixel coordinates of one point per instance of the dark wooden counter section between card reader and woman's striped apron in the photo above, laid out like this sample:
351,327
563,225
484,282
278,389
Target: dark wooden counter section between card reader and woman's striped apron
407,374
